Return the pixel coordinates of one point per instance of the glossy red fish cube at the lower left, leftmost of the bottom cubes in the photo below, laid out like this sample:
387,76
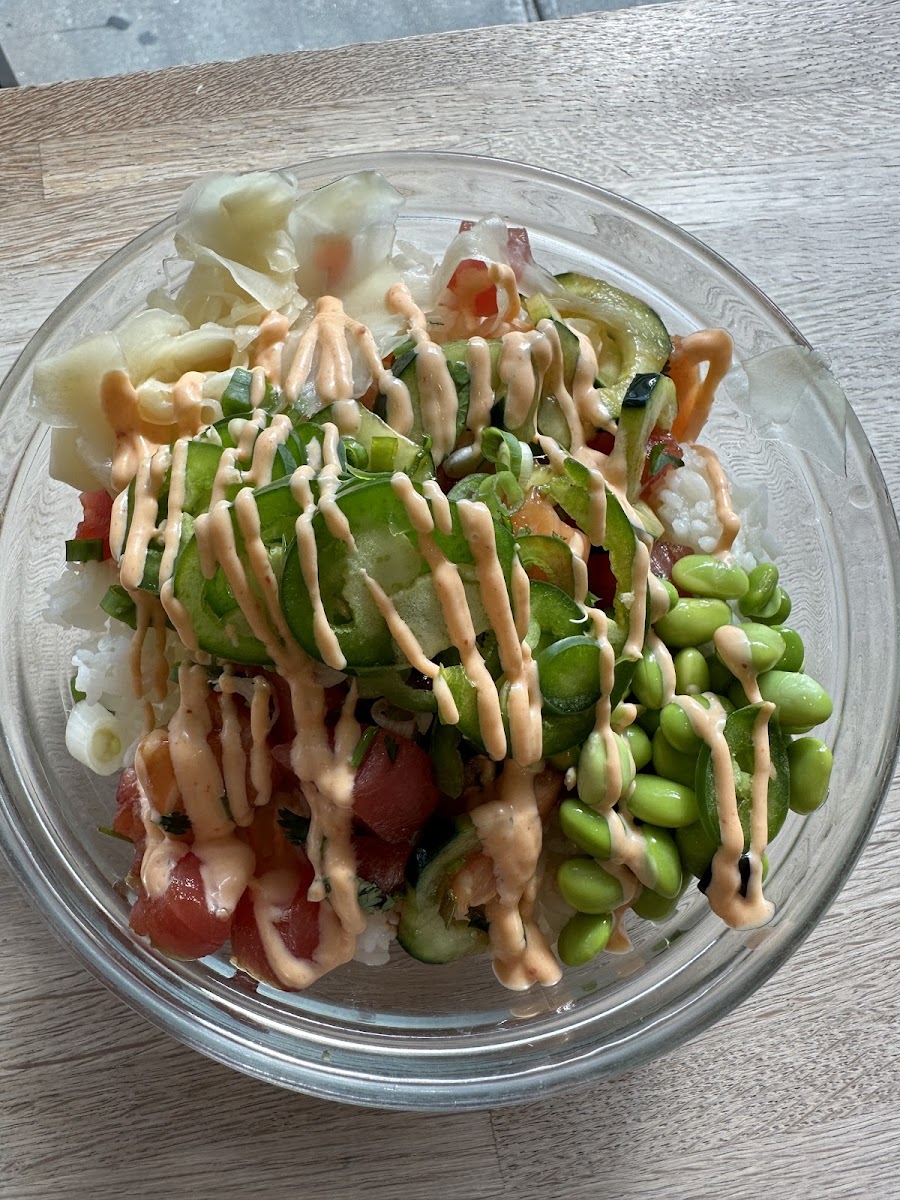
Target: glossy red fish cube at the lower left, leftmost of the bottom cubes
179,922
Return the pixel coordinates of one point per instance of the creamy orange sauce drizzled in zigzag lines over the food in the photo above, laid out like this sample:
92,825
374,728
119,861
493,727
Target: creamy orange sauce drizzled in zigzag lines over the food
333,359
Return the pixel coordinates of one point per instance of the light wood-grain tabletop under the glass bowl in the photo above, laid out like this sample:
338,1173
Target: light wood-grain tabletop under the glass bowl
767,128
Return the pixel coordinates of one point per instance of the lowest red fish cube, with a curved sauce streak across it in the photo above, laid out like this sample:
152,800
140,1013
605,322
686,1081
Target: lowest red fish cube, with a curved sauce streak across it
298,926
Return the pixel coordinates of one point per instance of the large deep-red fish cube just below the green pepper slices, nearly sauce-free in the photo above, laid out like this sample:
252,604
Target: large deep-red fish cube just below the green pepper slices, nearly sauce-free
394,793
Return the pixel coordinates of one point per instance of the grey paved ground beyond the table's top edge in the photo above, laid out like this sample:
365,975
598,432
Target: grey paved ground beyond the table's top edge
44,41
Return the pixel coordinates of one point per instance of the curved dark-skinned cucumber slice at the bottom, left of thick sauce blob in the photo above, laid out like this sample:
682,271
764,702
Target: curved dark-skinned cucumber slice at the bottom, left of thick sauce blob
429,931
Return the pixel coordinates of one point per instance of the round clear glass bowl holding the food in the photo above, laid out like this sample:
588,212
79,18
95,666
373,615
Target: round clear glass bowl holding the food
410,1036
